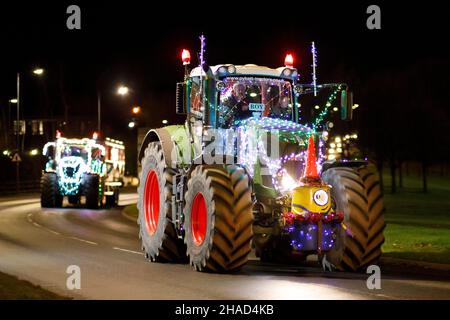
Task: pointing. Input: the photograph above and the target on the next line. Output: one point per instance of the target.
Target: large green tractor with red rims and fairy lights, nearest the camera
(244, 173)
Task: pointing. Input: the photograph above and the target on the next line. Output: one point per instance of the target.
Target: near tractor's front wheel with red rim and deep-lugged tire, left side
(218, 218)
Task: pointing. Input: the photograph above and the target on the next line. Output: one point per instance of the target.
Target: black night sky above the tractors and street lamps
(139, 44)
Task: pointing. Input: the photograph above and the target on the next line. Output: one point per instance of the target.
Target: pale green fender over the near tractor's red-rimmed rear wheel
(173, 141)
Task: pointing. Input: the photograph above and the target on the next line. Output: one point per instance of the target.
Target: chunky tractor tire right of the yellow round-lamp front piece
(356, 192)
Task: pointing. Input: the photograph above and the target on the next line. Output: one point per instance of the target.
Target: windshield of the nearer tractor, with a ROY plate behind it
(242, 98)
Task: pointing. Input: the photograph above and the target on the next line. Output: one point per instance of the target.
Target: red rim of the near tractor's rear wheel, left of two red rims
(151, 202)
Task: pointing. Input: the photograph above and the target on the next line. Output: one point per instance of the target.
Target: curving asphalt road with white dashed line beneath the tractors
(39, 244)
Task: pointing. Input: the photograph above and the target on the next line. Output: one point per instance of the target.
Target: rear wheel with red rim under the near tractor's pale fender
(160, 241)
